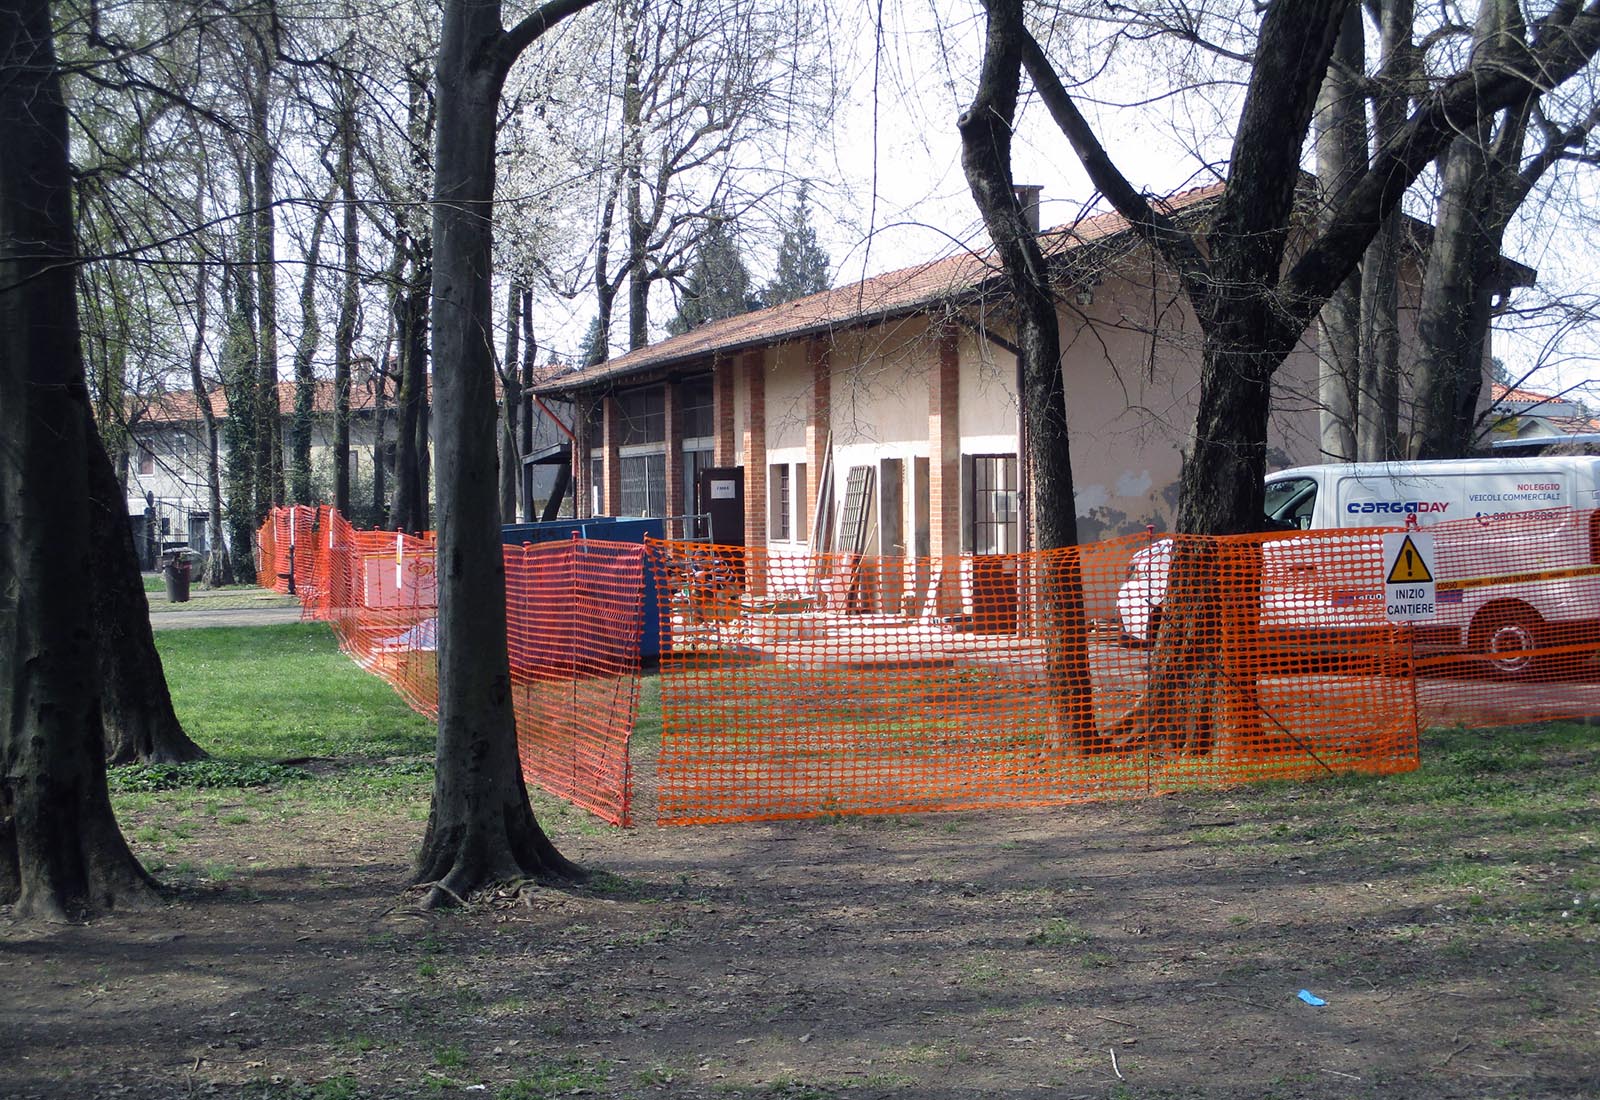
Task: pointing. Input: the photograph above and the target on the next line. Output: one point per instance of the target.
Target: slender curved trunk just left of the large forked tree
(986, 161)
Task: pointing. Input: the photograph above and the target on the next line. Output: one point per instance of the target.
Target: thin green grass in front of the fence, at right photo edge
(1503, 823)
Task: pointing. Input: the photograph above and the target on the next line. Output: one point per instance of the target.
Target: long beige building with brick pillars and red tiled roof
(894, 405)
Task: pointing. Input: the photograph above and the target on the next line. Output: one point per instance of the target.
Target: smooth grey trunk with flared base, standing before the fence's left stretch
(481, 827)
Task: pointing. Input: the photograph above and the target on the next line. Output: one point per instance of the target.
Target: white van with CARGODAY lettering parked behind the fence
(1508, 583)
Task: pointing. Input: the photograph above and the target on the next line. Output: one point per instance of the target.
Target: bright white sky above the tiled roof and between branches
(892, 191)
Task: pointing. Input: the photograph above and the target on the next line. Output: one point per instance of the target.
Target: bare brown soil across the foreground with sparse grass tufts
(1126, 951)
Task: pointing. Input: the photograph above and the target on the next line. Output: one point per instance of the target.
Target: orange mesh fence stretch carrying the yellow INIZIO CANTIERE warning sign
(798, 685)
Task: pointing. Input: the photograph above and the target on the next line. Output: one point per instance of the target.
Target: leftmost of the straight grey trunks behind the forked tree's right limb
(1342, 157)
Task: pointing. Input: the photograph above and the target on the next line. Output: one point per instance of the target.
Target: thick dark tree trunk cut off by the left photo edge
(63, 853)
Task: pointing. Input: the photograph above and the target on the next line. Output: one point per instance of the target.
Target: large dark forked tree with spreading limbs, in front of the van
(1252, 301)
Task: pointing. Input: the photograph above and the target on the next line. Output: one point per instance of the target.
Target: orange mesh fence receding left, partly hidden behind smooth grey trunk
(574, 623)
